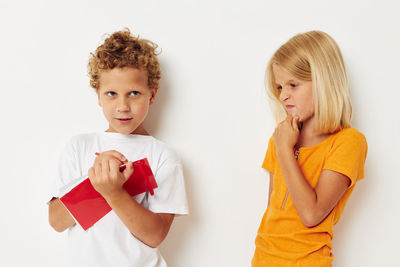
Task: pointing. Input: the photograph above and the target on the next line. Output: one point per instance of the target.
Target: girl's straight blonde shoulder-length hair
(314, 56)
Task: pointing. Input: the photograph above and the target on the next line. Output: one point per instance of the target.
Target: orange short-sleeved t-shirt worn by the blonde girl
(282, 239)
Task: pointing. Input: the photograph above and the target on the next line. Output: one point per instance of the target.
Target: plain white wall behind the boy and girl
(211, 108)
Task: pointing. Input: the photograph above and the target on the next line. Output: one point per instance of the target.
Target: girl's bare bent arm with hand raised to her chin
(312, 204)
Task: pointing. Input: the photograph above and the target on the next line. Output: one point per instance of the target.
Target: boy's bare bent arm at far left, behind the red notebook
(59, 217)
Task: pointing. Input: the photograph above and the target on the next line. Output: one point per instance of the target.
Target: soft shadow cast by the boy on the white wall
(175, 243)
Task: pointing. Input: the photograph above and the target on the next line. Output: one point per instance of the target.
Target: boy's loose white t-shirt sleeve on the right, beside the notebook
(170, 195)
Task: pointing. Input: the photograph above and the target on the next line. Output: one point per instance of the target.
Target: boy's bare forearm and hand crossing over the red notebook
(105, 175)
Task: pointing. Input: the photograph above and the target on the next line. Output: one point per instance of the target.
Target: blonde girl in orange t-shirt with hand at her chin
(314, 157)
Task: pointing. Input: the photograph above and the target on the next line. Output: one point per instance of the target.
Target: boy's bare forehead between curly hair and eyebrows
(126, 75)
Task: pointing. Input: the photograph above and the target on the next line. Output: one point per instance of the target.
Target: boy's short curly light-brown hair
(121, 49)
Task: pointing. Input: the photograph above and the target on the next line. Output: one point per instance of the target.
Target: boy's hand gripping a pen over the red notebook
(105, 174)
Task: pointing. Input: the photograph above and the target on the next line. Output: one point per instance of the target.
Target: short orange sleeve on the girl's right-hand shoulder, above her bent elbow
(347, 155)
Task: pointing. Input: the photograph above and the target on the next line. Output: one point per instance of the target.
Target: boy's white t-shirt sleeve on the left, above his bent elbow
(68, 170)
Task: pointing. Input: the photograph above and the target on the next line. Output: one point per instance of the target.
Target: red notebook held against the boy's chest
(87, 206)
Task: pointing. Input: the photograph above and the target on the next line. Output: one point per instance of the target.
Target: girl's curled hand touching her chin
(286, 133)
